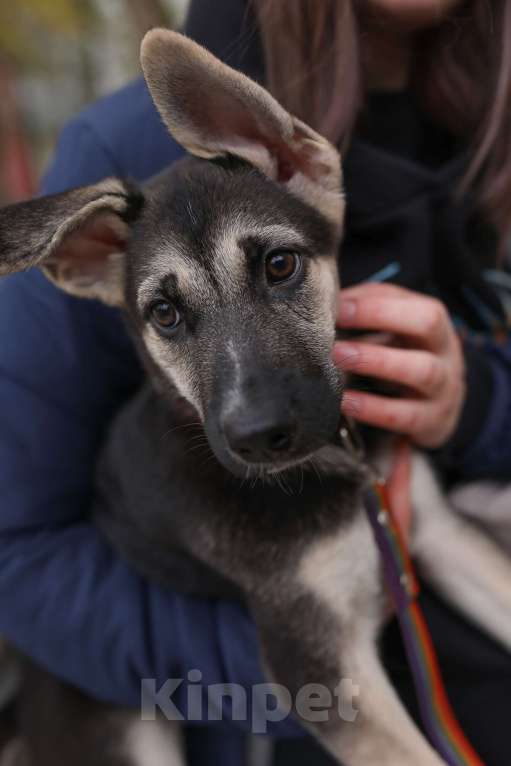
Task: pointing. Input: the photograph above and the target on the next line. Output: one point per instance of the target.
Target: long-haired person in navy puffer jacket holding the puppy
(417, 94)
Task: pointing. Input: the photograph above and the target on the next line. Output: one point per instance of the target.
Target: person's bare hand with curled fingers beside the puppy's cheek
(426, 359)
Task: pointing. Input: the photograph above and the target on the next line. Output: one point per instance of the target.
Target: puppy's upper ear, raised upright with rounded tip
(213, 110)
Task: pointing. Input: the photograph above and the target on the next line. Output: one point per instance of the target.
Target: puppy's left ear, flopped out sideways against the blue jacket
(77, 237)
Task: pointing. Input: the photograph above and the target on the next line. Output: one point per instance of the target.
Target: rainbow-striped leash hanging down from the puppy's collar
(440, 724)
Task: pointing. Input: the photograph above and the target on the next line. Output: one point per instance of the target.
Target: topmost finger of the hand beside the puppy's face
(391, 309)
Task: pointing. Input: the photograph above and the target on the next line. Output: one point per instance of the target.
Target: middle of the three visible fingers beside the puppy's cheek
(426, 373)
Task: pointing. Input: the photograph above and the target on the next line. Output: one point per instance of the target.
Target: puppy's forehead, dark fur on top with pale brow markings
(199, 218)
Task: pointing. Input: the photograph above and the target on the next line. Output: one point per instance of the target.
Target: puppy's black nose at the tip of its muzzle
(258, 441)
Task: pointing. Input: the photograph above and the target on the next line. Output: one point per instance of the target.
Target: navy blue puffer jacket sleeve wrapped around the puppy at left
(66, 598)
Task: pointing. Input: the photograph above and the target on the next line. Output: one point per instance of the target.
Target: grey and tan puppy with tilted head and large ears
(226, 266)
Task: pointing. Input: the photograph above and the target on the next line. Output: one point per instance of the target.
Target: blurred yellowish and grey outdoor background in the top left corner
(56, 56)
